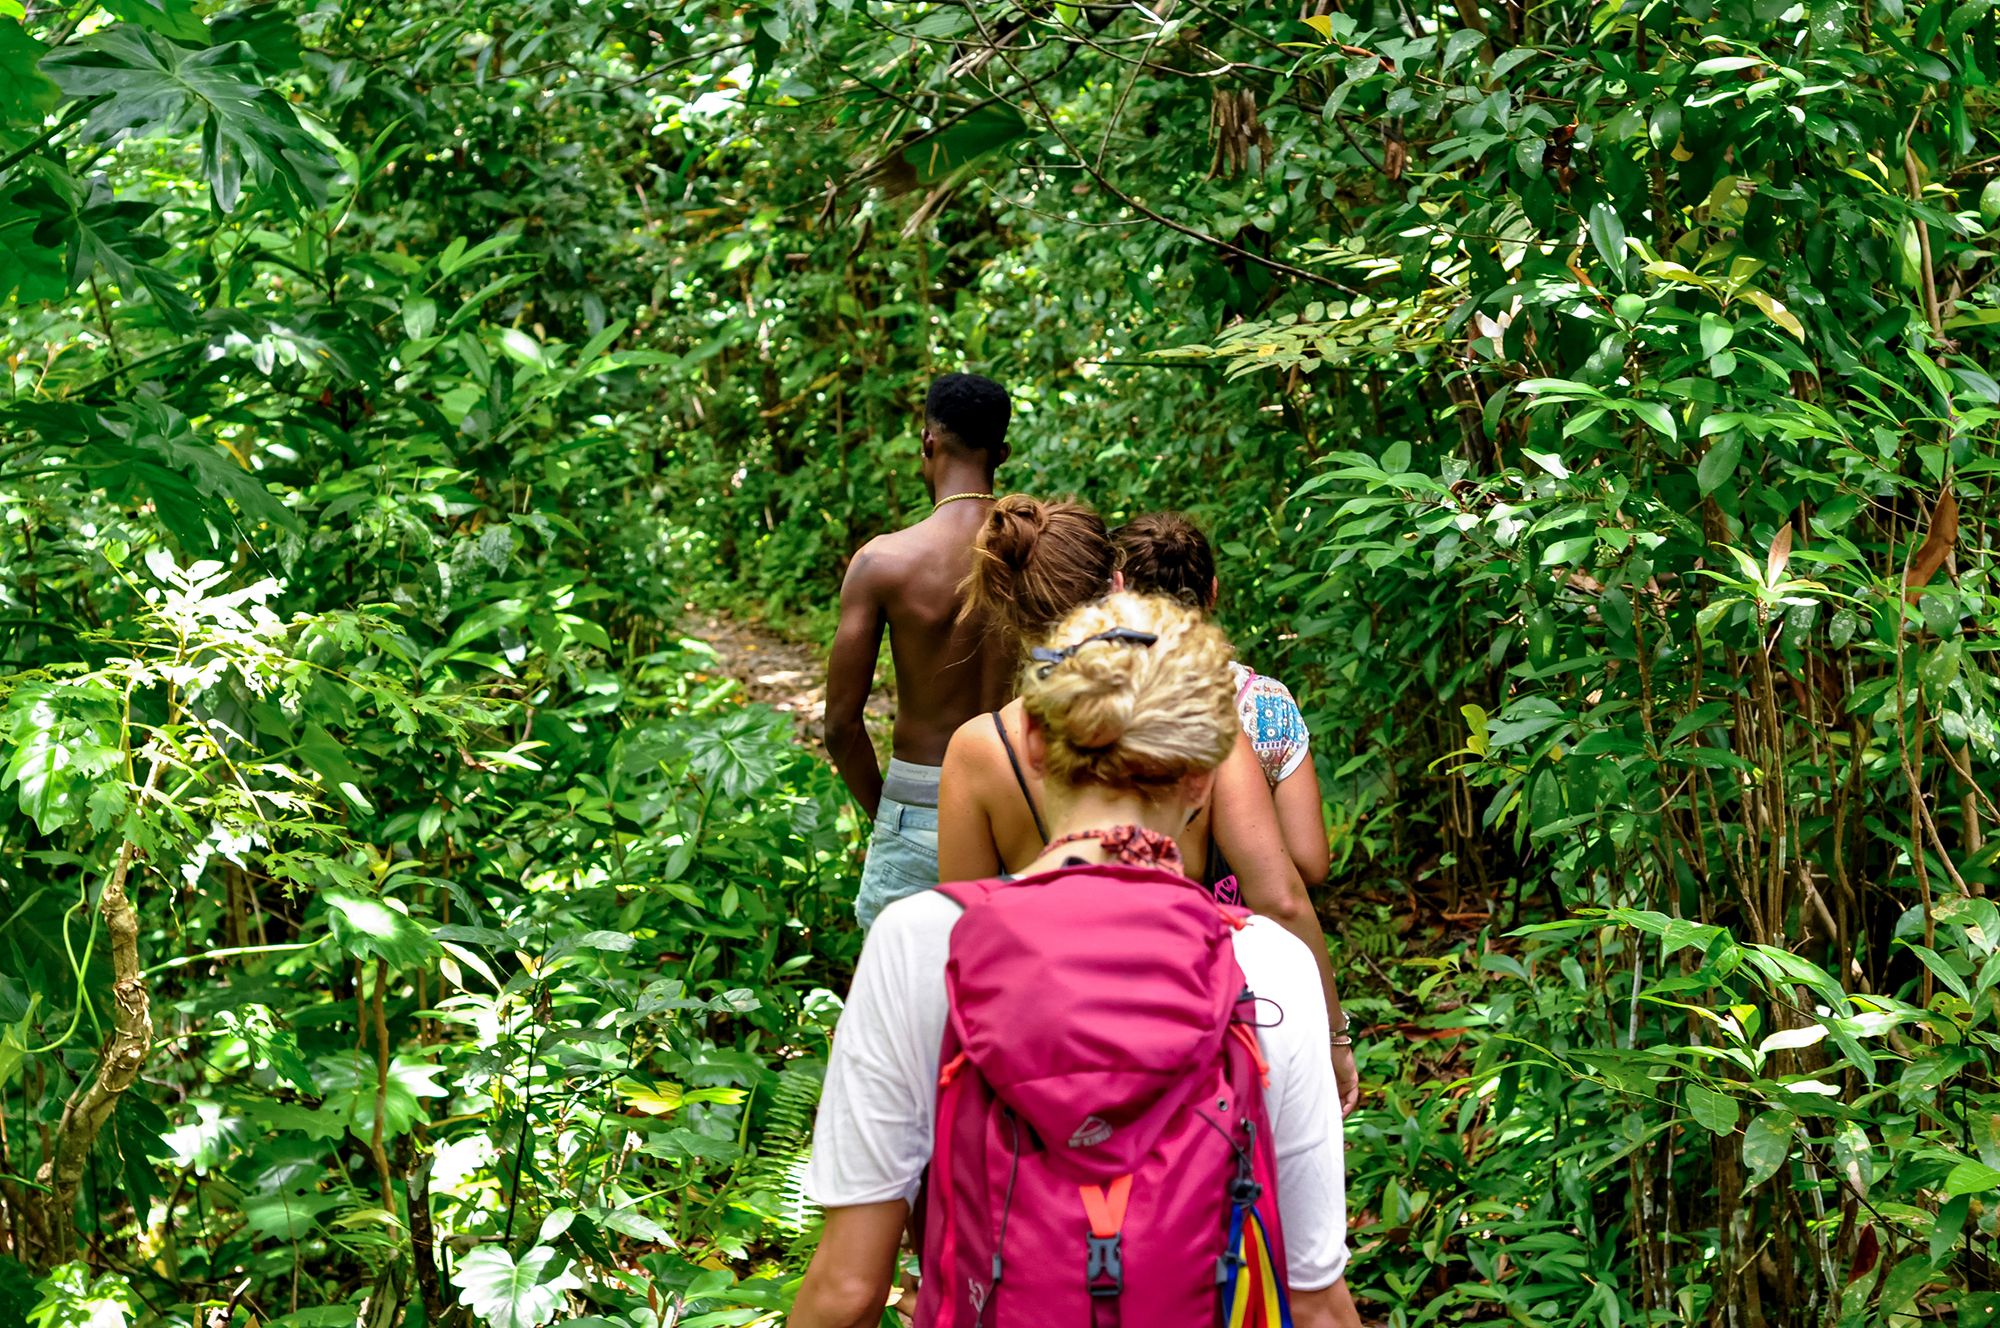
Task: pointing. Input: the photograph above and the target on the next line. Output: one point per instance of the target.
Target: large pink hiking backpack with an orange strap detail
(1103, 1153)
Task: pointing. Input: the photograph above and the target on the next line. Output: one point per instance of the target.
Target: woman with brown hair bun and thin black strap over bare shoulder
(1033, 565)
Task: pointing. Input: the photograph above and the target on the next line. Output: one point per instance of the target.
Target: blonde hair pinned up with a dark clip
(1127, 715)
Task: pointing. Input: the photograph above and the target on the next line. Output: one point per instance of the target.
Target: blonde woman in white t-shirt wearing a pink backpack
(1115, 1083)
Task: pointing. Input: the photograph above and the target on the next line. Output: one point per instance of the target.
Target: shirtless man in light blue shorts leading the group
(947, 669)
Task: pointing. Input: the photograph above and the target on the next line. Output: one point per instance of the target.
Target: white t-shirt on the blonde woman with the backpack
(879, 1111)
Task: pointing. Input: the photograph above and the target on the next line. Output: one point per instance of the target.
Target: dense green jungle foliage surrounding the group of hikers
(405, 923)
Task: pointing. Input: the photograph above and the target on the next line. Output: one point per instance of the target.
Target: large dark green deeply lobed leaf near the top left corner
(155, 87)
